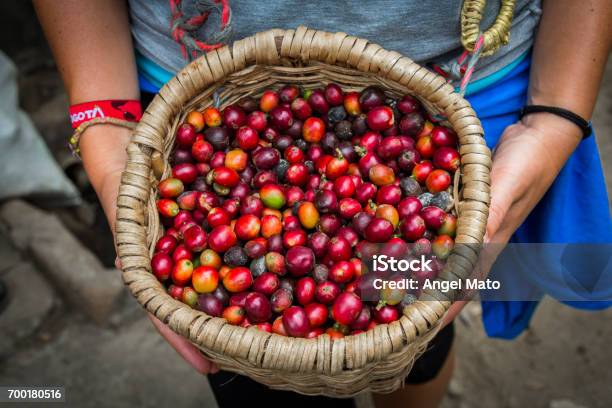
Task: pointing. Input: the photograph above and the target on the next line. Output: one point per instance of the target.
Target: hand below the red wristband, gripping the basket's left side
(105, 175)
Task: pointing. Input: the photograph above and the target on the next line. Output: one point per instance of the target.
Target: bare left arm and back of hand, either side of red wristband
(92, 45)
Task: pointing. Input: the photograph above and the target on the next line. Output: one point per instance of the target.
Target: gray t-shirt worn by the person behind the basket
(423, 30)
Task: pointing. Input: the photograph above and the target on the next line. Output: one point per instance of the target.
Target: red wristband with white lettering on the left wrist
(129, 110)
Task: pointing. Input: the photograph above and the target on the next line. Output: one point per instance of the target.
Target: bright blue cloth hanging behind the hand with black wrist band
(574, 210)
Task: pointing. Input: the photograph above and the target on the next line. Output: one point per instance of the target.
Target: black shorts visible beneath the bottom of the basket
(233, 390)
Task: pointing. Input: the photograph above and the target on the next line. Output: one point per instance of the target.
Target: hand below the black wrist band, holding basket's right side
(526, 161)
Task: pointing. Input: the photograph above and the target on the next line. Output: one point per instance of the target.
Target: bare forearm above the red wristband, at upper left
(92, 45)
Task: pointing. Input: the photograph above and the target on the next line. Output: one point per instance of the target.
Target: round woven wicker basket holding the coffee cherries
(377, 360)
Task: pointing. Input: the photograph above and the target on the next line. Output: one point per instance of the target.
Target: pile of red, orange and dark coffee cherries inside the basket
(275, 203)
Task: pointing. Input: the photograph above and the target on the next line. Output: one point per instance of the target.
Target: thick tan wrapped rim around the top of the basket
(267, 48)
